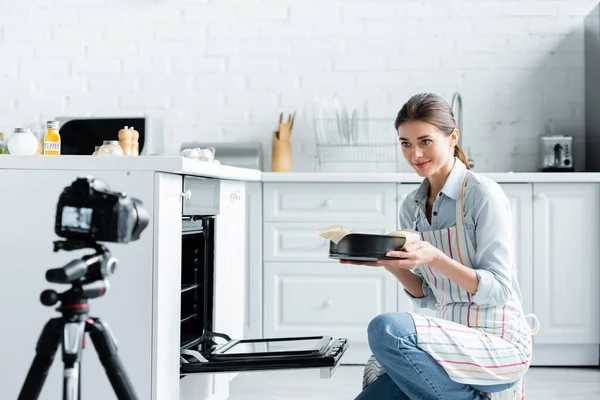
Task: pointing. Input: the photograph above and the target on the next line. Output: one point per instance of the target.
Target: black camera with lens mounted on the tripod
(89, 211)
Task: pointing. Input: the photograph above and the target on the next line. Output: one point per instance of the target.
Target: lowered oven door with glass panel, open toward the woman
(320, 352)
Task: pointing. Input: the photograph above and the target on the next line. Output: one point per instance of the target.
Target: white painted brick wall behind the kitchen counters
(222, 70)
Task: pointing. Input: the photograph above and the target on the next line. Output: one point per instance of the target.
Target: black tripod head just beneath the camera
(87, 276)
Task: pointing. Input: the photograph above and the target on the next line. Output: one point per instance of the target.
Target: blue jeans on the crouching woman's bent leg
(412, 373)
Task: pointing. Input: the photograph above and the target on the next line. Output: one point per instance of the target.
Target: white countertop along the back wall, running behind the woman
(500, 177)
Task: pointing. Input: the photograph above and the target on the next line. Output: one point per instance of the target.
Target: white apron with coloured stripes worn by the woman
(476, 345)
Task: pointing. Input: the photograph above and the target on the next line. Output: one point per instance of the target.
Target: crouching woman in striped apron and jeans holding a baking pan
(463, 267)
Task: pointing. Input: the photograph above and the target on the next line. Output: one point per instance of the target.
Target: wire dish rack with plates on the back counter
(356, 145)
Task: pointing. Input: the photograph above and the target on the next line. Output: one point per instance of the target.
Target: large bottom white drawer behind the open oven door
(324, 298)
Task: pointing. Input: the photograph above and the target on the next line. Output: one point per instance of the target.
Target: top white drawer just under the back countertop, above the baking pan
(337, 202)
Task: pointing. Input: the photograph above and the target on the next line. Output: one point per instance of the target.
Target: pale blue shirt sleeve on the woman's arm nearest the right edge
(494, 262)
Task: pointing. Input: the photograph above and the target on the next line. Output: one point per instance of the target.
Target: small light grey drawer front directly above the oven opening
(201, 196)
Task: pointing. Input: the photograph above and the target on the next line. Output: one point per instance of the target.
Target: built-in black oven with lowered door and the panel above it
(202, 349)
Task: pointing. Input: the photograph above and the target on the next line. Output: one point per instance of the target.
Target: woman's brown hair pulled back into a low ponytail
(433, 109)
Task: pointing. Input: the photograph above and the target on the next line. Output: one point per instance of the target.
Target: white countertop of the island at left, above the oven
(176, 165)
